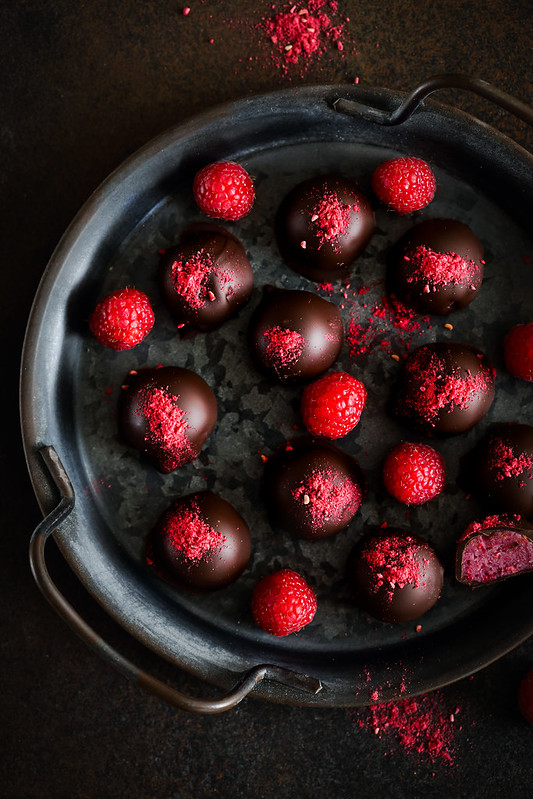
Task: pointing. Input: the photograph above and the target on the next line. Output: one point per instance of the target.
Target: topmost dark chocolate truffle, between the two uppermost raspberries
(322, 226)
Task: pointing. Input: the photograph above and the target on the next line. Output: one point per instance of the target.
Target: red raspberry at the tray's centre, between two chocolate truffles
(332, 405)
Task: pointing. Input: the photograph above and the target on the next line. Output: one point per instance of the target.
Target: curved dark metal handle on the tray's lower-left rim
(64, 609)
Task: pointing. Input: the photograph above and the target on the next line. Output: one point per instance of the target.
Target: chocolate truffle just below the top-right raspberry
(425, 272)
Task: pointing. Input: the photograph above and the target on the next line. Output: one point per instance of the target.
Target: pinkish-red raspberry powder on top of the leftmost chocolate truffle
(167, 426)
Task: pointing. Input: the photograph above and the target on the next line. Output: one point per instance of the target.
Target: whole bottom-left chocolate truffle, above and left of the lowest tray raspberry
(174, 552)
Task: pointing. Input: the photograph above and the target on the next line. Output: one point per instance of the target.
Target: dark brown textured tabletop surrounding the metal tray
(83, 85)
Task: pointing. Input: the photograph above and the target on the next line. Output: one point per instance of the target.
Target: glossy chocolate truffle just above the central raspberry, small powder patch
(314, 323)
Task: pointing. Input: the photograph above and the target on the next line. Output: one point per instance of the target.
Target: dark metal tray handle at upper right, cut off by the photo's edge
(449, 80)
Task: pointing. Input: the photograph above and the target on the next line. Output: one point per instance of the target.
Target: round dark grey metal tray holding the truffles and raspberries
(100, 499)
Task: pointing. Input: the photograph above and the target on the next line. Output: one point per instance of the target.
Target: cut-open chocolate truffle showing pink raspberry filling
(494, 549)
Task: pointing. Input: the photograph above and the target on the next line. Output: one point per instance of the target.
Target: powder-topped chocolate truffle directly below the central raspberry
(312, 490)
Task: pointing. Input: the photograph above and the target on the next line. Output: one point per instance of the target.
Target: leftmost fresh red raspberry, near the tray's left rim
(122, 319)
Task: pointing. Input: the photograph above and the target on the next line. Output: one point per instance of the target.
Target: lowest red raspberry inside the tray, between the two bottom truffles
(283, 603)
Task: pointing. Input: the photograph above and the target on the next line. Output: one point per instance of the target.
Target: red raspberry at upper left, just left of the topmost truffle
(224, 190)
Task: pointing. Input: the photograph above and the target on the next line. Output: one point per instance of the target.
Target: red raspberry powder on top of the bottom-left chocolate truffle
(190, 534)
